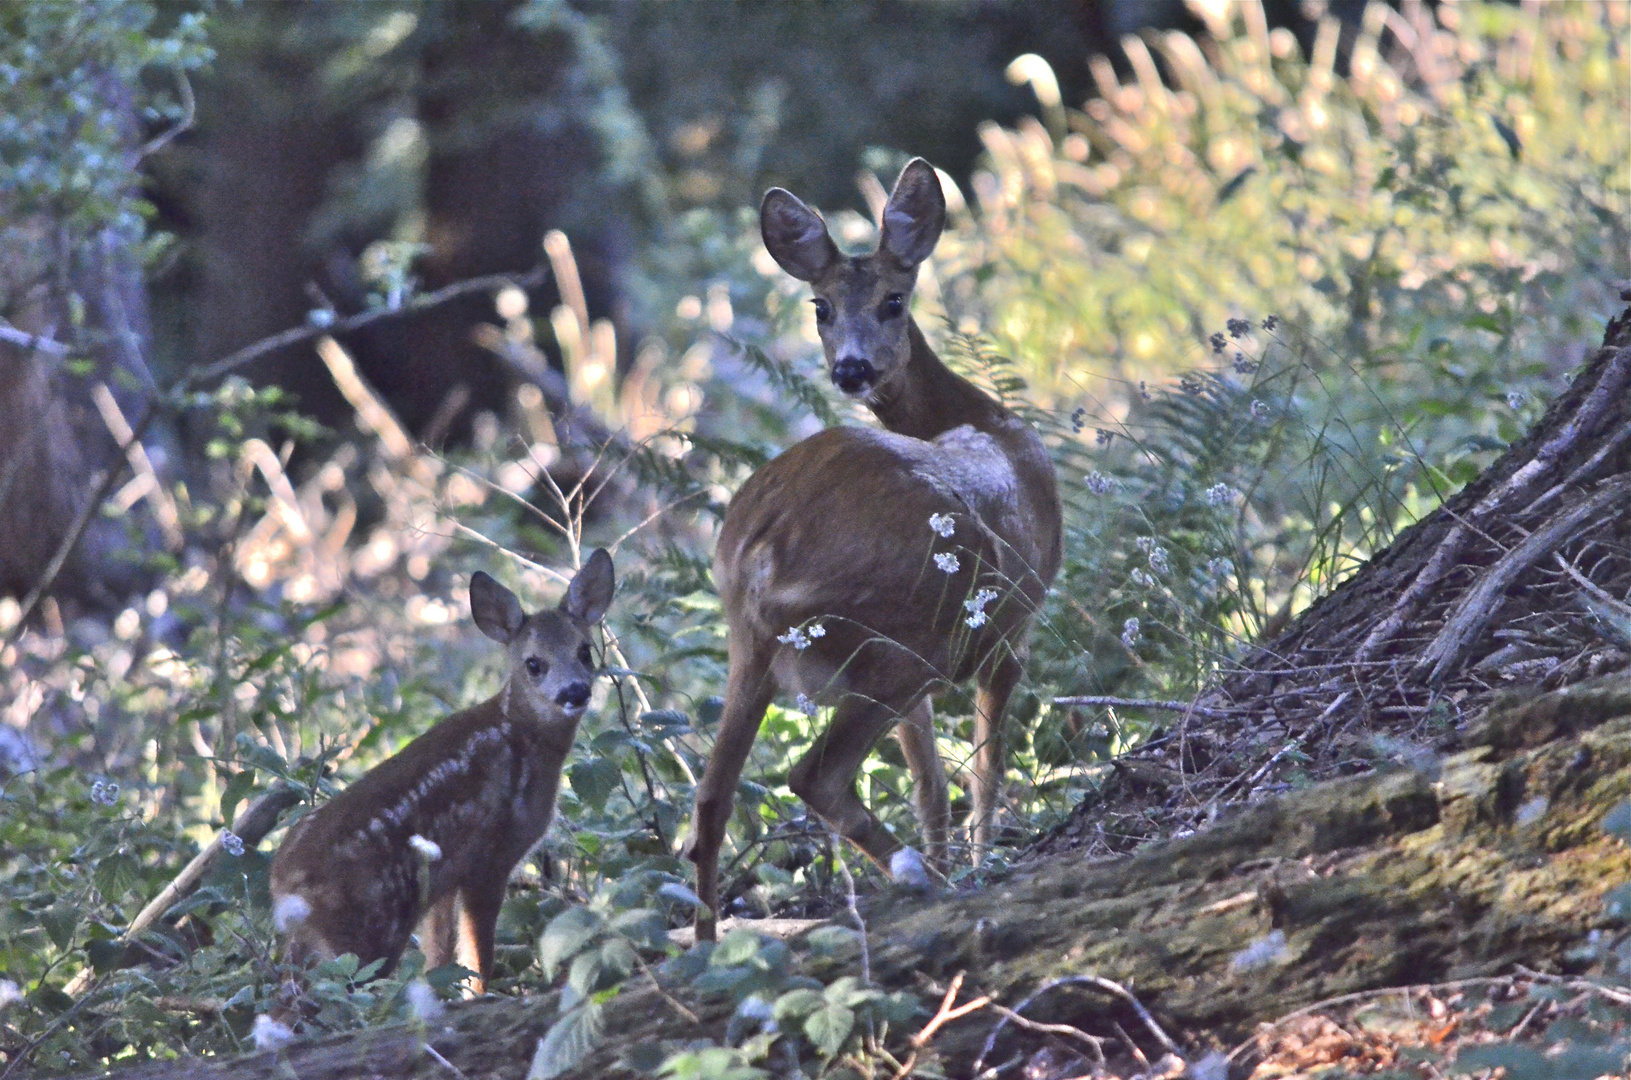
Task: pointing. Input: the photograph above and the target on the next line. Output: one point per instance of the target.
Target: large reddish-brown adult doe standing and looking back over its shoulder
(870, 569)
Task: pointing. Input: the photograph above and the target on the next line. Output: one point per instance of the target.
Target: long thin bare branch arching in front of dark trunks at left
(105, 480)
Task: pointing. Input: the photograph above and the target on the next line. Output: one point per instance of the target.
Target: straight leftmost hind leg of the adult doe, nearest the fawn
(748, 694)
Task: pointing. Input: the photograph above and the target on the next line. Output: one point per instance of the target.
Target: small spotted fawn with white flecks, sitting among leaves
(430, 838)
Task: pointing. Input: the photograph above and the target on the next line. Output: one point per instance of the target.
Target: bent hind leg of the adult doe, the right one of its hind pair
(826, 776)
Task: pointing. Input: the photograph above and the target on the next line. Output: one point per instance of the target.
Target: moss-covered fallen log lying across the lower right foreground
(1493, 859)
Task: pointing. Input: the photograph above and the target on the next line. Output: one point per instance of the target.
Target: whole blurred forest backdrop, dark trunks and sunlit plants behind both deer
(1273, 280)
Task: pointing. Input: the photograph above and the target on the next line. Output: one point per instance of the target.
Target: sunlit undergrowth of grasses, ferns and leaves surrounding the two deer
(1265, 317)
